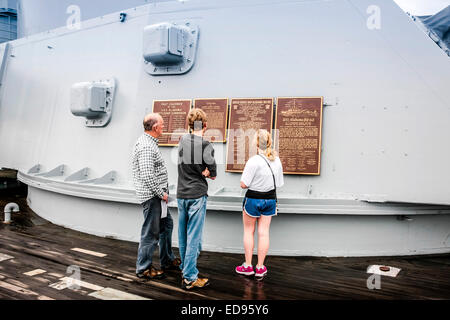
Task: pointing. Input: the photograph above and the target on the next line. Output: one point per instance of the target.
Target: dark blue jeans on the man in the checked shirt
(155, 230)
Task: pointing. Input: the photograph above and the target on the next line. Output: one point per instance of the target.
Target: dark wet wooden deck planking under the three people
(48, 247)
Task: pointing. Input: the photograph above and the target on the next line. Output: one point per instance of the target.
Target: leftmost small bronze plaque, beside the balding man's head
(174, 114)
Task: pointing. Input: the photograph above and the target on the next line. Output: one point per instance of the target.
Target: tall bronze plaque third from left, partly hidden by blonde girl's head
(246, 116)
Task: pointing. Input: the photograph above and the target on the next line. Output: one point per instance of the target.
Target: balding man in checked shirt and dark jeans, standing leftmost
(150, 181)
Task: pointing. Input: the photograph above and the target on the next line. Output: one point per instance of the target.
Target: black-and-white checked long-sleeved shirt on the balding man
(149, 170)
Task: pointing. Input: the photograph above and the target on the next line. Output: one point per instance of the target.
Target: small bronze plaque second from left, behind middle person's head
(217, 112)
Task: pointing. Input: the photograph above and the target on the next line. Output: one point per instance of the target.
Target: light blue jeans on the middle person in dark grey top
(191, 218)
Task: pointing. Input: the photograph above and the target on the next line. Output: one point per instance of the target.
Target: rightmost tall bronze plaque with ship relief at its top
(298, 134)
